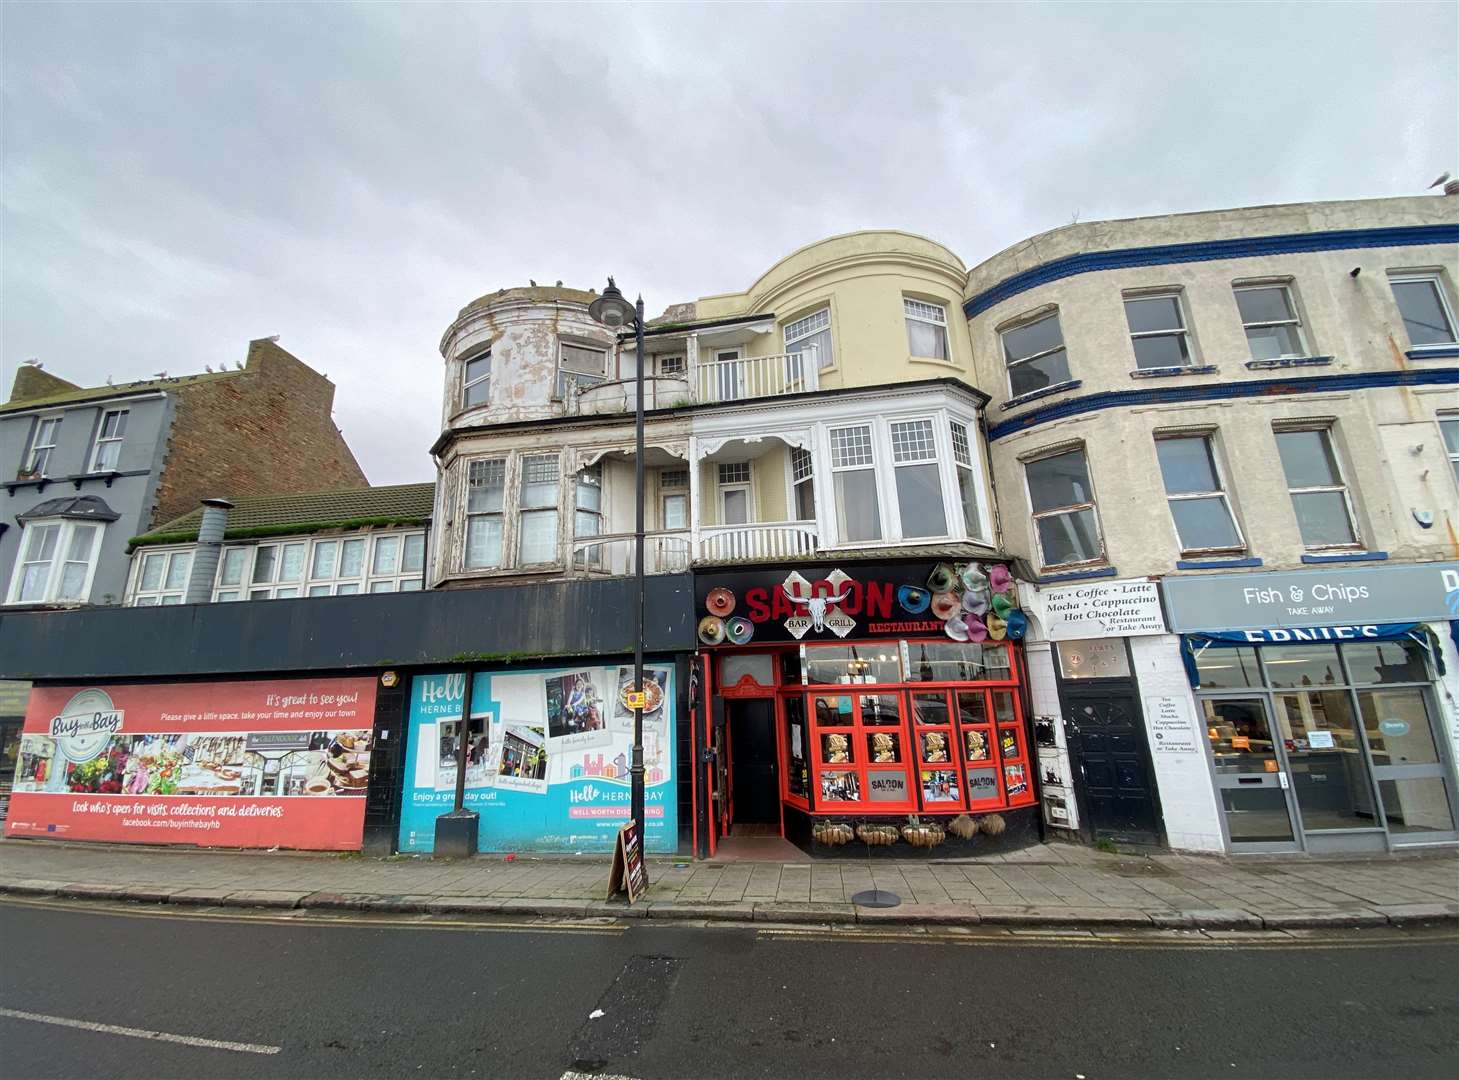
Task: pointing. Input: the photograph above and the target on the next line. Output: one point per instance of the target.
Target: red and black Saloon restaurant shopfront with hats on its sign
(847, 725)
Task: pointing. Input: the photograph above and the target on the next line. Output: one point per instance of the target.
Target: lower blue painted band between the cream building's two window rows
(1223, 392)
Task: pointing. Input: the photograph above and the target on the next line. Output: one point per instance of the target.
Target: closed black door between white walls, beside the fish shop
(1111, 760)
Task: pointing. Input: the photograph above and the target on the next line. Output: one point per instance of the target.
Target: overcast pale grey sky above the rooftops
(182, 179)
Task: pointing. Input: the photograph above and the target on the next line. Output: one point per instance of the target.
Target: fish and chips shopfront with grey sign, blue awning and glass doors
(1326, 736)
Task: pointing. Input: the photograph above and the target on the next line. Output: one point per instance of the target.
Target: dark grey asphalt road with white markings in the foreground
(348, 998)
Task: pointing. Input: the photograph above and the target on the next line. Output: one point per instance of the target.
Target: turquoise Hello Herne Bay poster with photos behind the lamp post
(548, 768)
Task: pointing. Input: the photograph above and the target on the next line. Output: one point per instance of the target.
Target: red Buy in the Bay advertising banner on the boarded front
(250, 764)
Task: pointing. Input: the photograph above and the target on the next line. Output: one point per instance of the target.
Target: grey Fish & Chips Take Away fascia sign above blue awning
(1327, 598)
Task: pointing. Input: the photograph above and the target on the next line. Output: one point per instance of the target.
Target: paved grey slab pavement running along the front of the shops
(1054, 885)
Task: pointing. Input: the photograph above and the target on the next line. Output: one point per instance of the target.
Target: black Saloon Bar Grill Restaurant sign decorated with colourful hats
(967, 602)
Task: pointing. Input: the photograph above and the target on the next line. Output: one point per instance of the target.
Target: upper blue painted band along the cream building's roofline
(1206, 252)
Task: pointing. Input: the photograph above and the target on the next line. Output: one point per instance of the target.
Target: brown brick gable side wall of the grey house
(268, 433)
